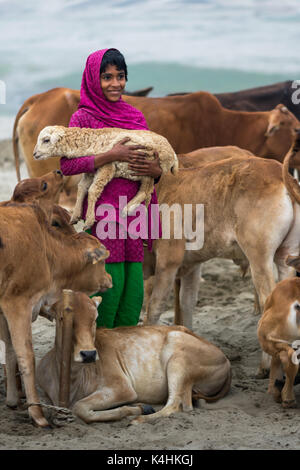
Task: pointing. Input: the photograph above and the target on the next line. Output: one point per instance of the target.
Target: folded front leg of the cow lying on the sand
(96, 407)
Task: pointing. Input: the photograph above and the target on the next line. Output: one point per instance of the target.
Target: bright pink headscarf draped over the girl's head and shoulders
(92, 100)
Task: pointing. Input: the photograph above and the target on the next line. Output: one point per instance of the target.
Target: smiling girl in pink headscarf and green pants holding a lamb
(101, 105)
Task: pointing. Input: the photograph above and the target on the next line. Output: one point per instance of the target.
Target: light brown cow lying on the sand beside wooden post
(135, 364)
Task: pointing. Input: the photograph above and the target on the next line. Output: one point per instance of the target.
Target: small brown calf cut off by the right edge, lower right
(278, 328)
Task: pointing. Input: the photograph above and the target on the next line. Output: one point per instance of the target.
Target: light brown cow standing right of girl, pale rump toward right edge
(248, 216)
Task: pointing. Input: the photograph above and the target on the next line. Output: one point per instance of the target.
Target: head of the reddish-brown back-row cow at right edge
(280, 131)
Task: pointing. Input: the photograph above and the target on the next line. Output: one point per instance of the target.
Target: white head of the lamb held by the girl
(49, 143)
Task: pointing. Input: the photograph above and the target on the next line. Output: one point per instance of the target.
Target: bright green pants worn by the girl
(121, 305)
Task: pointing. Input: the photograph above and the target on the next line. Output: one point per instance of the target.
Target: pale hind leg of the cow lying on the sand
(179, 388)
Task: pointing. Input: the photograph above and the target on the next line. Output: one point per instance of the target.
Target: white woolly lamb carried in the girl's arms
(72, 142)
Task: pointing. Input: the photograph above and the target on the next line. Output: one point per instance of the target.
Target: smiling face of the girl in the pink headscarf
(112, 82)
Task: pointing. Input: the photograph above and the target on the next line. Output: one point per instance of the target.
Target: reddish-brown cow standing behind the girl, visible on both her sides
(188, 122)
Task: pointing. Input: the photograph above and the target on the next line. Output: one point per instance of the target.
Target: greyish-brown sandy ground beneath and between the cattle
(247, 418)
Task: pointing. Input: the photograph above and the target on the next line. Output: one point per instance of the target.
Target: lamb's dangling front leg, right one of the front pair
(105, 174)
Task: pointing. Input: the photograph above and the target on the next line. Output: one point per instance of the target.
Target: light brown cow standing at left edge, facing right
(37, 262)
